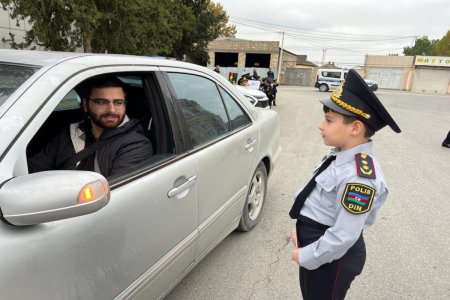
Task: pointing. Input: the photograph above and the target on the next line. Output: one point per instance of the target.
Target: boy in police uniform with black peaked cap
(343, 196)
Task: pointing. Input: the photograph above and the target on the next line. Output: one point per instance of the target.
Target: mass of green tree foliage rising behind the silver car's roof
(171, 27)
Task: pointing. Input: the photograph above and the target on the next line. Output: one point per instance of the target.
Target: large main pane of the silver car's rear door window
(202, 107)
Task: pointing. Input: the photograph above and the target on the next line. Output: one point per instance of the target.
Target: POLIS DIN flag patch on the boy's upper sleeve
(357, 198)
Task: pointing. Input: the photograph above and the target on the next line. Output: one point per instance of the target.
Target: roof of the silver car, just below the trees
(51, 58)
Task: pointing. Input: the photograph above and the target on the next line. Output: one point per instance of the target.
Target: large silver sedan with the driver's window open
(79, 235)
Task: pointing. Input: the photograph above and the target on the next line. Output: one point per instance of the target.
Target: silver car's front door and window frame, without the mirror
(138, 244)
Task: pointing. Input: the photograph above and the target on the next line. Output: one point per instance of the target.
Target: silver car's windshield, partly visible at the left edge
(11, 77)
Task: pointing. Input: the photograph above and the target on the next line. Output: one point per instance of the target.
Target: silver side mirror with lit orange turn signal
(52, 195)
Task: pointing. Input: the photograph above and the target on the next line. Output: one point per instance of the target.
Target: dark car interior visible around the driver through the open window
(143, 103)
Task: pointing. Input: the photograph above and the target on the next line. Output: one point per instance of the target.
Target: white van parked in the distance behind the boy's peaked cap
(329, 79)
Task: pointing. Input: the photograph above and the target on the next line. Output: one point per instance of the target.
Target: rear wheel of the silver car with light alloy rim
(256, 197)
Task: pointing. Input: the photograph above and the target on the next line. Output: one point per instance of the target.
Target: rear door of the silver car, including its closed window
(225, 144)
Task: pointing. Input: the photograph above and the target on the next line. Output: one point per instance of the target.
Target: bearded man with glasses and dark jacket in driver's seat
(106, 141)
